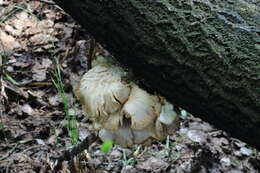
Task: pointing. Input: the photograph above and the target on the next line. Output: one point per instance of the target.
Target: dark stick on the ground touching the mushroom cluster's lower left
(70, 153)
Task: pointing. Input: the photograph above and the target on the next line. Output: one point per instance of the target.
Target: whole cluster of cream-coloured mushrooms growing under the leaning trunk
(120, 110)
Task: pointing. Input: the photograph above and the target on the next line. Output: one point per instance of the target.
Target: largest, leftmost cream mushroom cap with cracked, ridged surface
(103, 93)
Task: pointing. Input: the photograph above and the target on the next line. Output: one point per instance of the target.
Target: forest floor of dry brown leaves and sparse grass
(42, 56)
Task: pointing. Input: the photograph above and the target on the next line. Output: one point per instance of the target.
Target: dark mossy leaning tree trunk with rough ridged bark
(201, 55)
